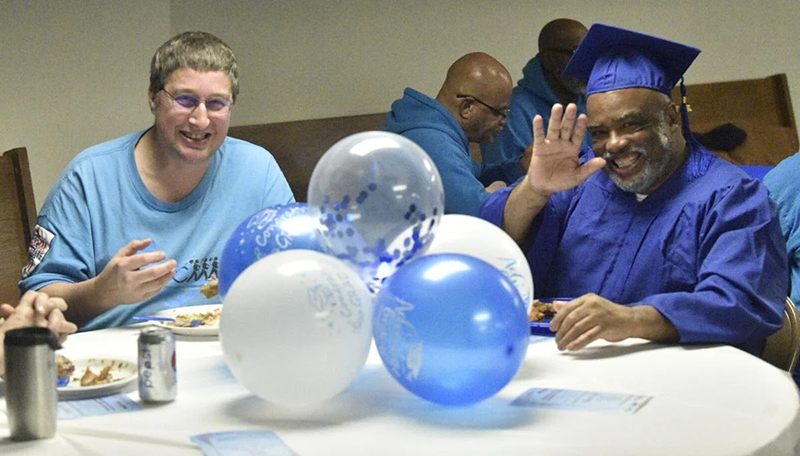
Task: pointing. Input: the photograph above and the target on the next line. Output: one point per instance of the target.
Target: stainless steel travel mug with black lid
(30, 387)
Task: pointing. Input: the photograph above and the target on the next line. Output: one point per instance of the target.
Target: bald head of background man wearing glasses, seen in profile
(477, 91)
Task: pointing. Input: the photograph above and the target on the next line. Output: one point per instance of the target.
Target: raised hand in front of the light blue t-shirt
(131, 277)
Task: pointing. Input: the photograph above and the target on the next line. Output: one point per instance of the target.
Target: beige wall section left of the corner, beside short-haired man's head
(73, 74)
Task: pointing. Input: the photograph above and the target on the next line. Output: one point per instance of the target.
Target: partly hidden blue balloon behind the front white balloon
(270, 230)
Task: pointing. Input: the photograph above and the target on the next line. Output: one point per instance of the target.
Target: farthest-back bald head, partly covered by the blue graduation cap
(557, 41)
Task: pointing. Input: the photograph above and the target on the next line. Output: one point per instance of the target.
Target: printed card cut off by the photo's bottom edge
(242, 443)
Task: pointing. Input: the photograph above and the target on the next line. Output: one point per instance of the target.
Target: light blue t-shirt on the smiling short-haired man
(100, 203)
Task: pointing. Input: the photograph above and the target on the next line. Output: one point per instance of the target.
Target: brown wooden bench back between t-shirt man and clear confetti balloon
(298, 145)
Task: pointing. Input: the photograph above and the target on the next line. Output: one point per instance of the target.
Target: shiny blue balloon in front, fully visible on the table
(450, 328)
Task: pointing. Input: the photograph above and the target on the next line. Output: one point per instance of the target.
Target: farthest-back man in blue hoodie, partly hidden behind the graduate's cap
(543, 84)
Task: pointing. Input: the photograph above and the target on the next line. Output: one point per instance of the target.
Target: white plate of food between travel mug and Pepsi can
(123, 373)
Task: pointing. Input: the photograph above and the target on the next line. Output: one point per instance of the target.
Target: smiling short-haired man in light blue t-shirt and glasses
(136, 225)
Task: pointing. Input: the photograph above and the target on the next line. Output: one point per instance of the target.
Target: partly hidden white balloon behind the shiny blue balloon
(481, 239)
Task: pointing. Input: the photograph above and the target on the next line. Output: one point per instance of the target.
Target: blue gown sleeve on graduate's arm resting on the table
(741, 272)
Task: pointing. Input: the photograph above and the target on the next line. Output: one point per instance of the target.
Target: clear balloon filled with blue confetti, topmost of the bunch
(376, 199)
